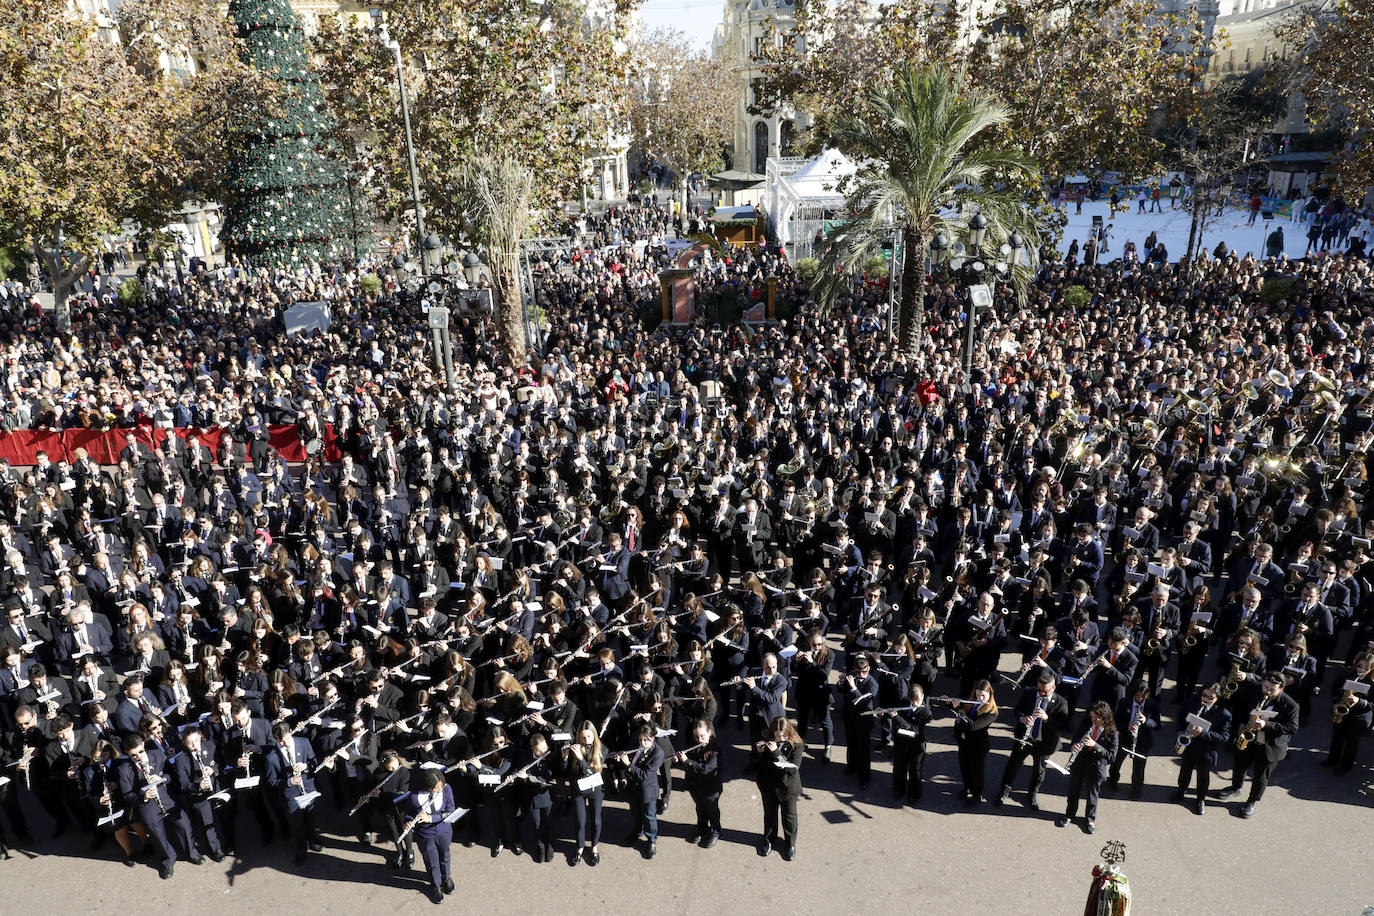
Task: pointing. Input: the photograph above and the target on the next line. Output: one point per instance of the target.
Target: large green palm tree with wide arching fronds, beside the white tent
(925, 165)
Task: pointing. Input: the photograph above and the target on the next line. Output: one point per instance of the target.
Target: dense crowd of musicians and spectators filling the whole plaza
(670, 560)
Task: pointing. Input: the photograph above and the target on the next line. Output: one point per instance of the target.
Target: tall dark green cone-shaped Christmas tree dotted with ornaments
(285, 198)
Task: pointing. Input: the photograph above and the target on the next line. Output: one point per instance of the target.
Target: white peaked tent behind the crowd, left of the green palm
(804, 197)
